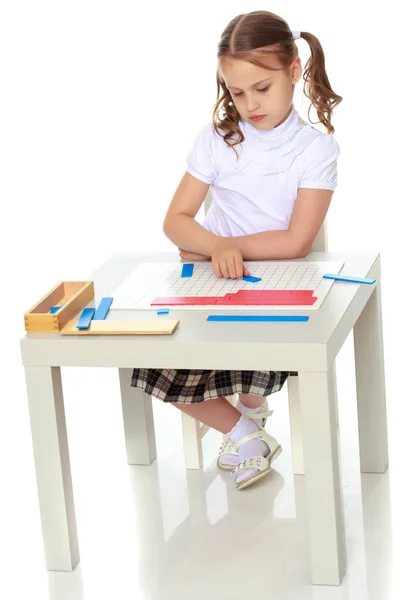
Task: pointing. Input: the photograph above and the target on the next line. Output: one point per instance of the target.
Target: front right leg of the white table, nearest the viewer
(317, 395)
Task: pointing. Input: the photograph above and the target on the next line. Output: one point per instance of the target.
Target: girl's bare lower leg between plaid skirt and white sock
(217, 413)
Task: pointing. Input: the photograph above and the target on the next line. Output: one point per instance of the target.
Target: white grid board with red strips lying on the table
(156, 284)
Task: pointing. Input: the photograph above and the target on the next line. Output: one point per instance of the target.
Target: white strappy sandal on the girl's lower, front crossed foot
(261, 463)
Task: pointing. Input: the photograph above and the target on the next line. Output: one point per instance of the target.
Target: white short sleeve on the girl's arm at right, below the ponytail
(320, 164)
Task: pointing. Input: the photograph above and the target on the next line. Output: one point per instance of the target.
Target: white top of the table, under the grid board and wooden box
(198, 343)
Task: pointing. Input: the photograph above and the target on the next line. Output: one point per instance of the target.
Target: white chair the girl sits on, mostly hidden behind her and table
(194, 431)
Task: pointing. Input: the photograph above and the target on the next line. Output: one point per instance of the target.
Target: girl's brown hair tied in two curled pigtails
(253, 37)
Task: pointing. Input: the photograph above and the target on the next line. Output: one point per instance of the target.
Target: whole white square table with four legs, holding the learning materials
(309, 348)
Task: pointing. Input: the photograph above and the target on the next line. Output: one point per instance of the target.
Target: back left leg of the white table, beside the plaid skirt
(137, 410)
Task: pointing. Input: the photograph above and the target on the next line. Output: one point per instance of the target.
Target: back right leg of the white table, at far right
(371, 393)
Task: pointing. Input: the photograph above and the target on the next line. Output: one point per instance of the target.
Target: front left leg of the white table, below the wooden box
(53, 471)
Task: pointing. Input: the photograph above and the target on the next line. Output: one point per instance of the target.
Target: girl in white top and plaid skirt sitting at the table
(272, 177)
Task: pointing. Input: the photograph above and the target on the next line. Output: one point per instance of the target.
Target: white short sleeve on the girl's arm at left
(201, 160)
